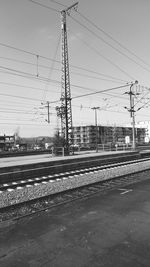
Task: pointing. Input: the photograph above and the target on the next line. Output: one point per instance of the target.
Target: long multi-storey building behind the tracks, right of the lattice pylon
(85, 136)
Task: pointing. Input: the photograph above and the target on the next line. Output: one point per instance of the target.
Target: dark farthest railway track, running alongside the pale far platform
(23, 171)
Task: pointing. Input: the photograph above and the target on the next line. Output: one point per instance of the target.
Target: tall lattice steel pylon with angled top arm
(66, 110)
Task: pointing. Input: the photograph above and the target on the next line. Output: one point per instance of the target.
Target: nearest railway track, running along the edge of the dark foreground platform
(30, 208)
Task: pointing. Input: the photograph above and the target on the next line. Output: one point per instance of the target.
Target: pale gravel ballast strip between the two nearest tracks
(30, 192)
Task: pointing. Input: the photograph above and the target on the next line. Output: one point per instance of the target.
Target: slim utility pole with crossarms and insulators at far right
(132, 113)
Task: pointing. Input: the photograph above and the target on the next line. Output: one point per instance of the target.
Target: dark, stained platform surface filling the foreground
(108, 230)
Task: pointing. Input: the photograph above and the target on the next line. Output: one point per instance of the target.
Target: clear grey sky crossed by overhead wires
(108, 46)
